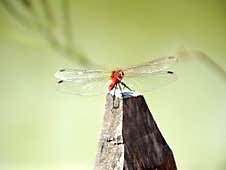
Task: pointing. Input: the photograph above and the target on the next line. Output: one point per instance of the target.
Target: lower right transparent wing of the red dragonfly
(149, 82)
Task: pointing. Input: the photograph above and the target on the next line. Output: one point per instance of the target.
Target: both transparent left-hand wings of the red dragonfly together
(82, 82)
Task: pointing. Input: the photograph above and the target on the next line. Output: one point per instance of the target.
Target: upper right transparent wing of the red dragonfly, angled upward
(150, 67)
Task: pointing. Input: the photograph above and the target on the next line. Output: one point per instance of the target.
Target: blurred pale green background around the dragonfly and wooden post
(42, 128)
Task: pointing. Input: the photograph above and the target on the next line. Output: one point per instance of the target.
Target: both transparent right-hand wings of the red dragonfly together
(151, 75)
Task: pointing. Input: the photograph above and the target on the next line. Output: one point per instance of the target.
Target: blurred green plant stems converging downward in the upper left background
(59, 36)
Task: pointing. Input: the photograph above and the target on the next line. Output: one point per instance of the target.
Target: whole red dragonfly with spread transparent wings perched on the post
(96, 81)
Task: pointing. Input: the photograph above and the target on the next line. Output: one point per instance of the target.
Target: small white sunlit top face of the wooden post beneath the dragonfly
(124, 94)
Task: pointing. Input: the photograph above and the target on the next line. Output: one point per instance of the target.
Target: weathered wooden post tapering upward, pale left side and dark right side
(130, 138)
